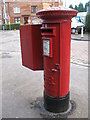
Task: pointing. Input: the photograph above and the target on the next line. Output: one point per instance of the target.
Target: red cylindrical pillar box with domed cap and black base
(56, 38)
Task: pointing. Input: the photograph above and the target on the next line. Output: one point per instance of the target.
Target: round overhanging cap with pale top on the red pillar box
(56, 13)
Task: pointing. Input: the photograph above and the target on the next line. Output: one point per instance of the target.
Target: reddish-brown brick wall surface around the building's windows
(25, 8)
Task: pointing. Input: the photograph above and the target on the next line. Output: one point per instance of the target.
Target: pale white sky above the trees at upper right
(74, 2)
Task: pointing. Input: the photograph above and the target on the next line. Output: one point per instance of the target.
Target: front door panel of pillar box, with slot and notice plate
(51, 54)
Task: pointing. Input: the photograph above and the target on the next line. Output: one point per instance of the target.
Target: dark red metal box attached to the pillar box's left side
(31, 46)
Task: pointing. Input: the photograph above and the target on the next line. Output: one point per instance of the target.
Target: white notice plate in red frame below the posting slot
(47, 47)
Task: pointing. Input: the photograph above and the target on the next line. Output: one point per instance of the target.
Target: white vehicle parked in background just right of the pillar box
(76, 25)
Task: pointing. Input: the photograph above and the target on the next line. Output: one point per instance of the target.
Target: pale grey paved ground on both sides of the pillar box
(21, 86)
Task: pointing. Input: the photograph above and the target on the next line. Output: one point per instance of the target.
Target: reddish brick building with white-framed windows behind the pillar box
(18, 10)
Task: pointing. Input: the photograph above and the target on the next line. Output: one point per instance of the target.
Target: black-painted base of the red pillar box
(56, 105)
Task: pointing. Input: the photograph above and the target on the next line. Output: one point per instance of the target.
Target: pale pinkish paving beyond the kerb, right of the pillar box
(79, 52)
